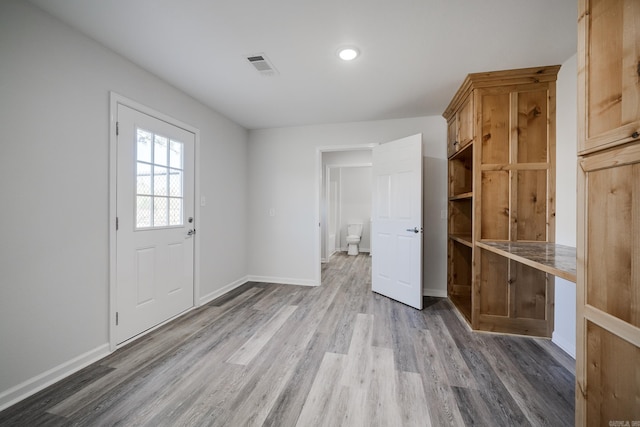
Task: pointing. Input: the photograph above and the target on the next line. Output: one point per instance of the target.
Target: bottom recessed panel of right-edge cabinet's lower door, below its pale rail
(613, 371)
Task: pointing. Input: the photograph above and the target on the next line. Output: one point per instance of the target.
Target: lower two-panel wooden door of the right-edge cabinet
(608, 287)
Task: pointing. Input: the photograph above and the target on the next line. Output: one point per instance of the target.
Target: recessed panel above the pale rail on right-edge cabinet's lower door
(613, 209)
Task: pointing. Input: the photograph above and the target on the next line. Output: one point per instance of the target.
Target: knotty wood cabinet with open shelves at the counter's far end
(501, 145)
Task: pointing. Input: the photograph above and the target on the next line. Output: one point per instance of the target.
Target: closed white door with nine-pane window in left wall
(156, 227)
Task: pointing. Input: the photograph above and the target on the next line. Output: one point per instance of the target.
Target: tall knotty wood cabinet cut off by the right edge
(608, 273)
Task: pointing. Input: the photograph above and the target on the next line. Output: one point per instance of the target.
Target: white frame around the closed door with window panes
(116, 99)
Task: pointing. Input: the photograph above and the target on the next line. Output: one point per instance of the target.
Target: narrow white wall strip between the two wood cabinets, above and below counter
(564, 334)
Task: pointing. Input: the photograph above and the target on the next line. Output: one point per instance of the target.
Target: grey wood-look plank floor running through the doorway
(335, 355)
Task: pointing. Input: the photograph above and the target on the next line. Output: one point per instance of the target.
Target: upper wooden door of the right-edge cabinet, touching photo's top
(608, 73)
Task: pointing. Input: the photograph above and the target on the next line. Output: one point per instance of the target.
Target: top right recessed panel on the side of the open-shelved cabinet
(532, 126)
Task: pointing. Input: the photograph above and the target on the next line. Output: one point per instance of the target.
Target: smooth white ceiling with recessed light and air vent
(414, 53)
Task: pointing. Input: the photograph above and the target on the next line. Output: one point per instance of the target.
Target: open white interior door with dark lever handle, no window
(397, 220)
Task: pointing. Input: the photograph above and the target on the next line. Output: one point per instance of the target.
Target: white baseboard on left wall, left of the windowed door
(33, 385)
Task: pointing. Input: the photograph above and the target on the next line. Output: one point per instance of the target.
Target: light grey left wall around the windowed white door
(54, 263)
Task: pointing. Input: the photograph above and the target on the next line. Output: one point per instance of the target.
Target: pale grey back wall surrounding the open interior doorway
(283, 176)
